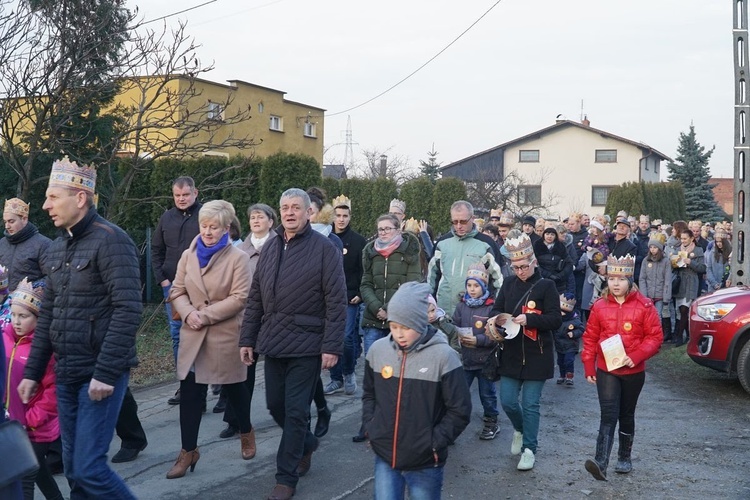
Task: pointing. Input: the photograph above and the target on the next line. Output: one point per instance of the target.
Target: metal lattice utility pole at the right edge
(740, 265)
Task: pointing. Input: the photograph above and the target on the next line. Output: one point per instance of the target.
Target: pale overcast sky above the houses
(643, 69)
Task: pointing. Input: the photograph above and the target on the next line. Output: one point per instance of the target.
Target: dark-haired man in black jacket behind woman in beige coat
(177, 228)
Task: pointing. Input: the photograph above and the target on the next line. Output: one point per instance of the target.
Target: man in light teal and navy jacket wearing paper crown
(455, 252)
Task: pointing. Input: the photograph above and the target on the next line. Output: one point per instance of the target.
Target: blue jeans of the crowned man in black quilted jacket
(87, 428)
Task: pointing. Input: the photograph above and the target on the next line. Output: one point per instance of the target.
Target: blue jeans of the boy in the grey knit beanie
(390, 484)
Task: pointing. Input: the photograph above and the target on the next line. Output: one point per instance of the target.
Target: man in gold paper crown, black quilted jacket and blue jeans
(88, 319)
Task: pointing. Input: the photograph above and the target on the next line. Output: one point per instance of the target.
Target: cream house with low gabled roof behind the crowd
(566, 167)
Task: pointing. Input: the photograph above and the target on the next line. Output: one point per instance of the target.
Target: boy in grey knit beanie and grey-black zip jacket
(415, 400)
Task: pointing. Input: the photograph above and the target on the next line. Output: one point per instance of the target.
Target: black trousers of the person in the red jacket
(618, 397)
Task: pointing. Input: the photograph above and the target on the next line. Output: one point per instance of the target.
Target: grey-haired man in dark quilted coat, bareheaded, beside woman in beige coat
(295, 316)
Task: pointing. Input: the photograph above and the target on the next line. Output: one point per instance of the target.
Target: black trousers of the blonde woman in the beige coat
(192, 396)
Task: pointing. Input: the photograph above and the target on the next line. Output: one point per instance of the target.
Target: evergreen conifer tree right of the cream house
(691, 170)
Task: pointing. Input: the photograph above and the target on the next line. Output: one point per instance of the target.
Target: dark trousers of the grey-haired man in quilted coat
(290, 385)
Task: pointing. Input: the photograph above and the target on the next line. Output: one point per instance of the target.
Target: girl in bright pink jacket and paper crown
(39, 416)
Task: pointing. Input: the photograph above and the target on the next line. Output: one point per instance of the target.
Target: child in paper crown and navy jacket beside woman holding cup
(472, 312)
